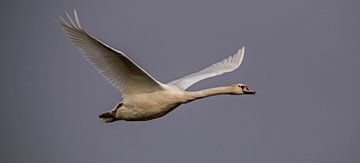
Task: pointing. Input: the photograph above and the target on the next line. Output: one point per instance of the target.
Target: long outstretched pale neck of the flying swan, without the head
(194, 95)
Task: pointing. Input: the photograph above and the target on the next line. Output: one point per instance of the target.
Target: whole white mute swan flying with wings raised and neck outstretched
(145, 98)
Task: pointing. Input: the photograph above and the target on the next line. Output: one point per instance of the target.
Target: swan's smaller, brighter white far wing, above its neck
(228, 64)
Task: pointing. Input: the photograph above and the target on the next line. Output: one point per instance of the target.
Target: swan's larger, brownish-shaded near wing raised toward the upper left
(119, 70)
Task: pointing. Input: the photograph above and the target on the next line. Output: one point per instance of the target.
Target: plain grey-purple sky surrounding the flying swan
(302, 58)
